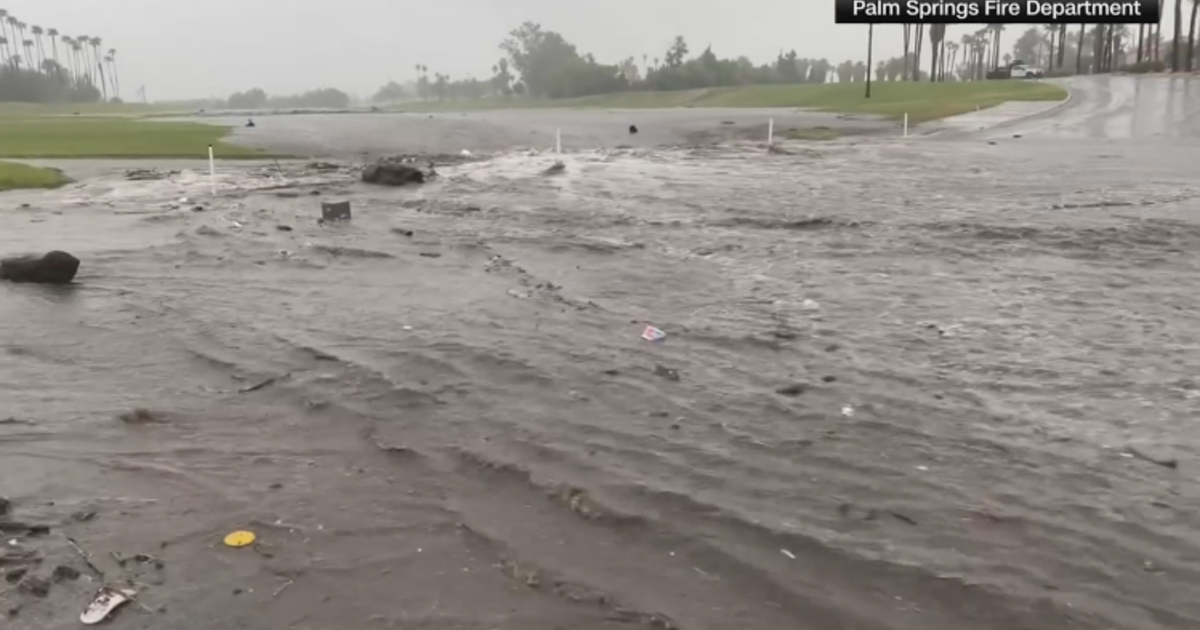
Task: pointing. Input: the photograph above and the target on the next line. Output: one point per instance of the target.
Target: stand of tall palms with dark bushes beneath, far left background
(35, 69)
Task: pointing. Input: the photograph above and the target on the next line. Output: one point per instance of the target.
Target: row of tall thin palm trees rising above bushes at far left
(82, 61)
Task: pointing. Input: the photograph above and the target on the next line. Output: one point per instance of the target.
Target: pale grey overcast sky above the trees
(196, 49)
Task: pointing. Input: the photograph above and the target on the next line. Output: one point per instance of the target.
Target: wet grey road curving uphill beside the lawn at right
(1120, 110)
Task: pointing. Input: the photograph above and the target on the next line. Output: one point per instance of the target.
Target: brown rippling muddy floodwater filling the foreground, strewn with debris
(904, 387)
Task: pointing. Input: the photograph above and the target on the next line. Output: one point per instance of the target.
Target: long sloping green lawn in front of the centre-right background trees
(921, 101)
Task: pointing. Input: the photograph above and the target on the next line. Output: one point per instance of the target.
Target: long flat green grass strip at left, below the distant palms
(55, 136)
